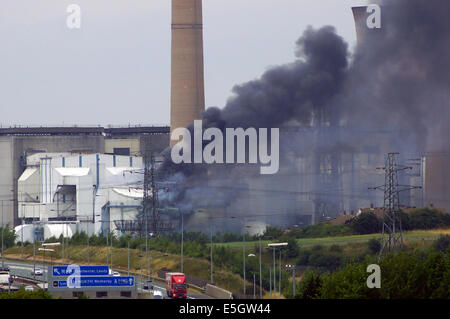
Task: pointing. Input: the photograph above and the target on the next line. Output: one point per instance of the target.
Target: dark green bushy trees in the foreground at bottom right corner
(418, 275)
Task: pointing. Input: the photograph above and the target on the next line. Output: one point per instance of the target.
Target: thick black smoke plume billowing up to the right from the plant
(396, 83)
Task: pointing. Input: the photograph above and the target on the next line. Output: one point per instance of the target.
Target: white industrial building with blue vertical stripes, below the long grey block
(62, 193)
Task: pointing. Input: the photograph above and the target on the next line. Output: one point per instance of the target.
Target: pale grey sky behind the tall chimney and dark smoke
(115, 69)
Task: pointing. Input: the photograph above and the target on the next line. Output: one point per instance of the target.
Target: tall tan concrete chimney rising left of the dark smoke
(187, 100)
